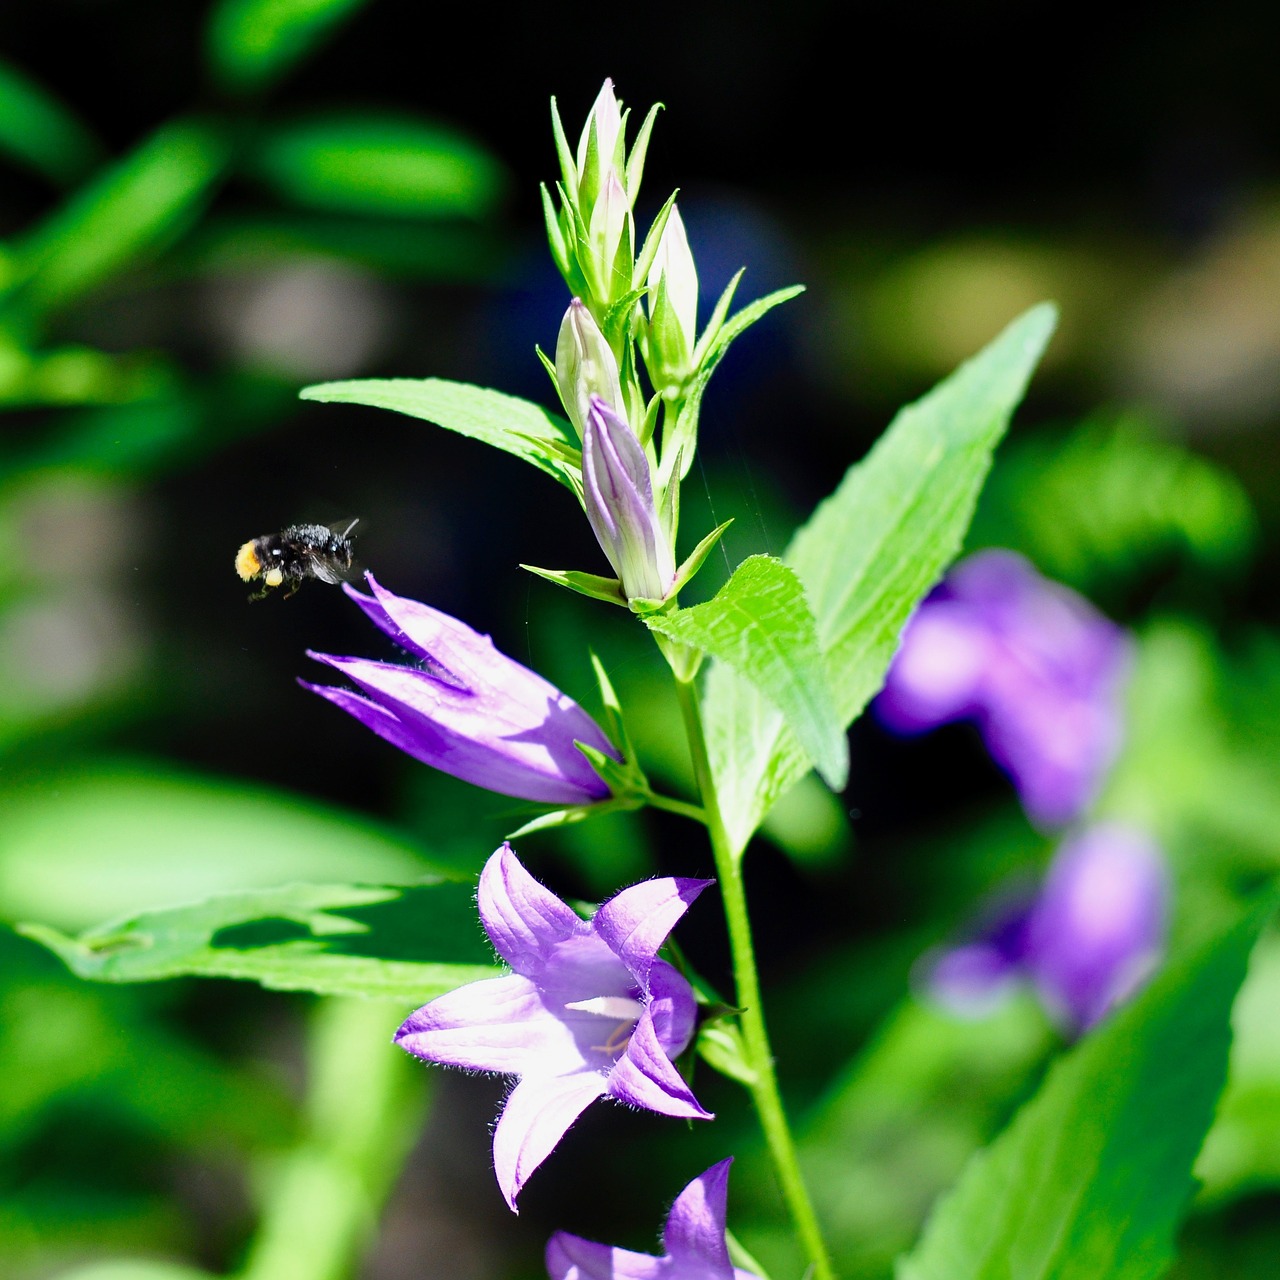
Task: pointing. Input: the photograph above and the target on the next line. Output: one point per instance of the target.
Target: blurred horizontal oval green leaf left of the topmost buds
(396, 166)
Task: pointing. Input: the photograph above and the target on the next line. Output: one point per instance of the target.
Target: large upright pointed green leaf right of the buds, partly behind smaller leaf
(868, 556)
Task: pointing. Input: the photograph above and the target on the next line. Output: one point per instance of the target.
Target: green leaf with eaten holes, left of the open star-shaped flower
(406, 944)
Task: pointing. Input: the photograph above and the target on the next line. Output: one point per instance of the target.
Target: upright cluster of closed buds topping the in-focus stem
(629, 310)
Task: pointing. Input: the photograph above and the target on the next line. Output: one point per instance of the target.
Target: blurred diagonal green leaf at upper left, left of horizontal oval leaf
(134, 209)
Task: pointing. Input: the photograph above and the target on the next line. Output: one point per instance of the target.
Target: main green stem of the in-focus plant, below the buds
(765, 1084)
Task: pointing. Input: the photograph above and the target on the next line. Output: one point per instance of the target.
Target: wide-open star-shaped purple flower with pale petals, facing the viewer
(588, 1012)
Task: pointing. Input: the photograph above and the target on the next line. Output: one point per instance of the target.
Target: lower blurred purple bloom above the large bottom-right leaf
(1090, 936)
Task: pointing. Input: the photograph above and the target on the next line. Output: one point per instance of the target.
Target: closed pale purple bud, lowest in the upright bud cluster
(618, 492)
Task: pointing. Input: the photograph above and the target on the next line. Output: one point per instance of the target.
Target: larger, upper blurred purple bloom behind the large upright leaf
(1035, 665)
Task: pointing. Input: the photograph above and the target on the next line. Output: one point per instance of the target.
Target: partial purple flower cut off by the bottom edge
(693, 1240)
